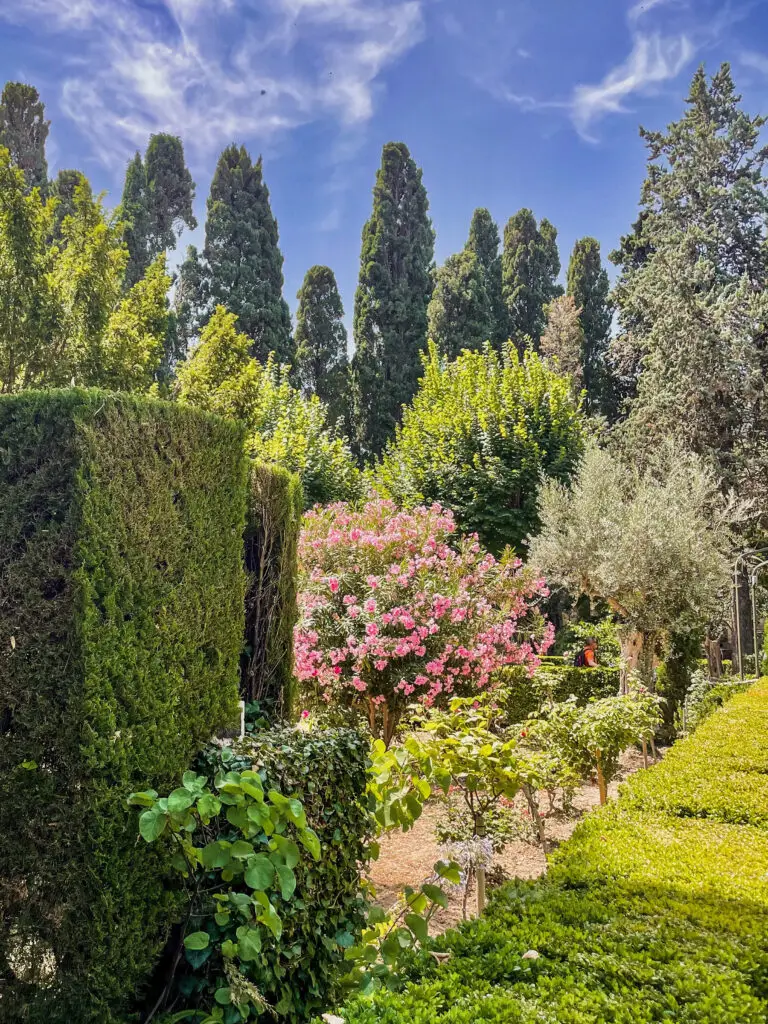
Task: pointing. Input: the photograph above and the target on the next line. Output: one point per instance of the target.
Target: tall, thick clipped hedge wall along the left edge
(121, 627)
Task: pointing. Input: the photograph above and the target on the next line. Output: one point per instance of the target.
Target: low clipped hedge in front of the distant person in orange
(520, 696)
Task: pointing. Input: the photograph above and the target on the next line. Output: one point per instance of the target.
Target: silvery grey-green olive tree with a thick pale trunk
(653, 544)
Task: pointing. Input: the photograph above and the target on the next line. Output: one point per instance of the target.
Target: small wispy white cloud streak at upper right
(655, 59)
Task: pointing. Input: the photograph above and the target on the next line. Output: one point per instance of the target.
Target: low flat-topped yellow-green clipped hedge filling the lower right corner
(647, 915)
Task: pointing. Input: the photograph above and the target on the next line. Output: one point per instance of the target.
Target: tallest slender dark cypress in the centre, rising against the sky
(391, 306)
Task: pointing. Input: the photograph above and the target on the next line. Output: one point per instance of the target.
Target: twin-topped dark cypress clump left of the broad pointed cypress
(157, 202)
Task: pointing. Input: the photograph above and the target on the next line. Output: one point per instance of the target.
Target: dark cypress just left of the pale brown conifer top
(530, 269)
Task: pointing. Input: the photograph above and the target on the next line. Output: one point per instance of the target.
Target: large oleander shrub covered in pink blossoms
(397, 609)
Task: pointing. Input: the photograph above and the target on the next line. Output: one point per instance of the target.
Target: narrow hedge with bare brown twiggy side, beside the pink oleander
(276, 505)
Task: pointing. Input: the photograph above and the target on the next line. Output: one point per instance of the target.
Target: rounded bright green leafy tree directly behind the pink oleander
(481, 434)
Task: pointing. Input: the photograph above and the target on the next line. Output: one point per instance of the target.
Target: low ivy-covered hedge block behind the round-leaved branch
(300, 960)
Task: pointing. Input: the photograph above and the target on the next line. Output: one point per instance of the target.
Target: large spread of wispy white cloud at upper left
(215, 72)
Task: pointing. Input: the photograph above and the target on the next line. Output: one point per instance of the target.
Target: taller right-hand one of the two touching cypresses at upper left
(170, 193)
